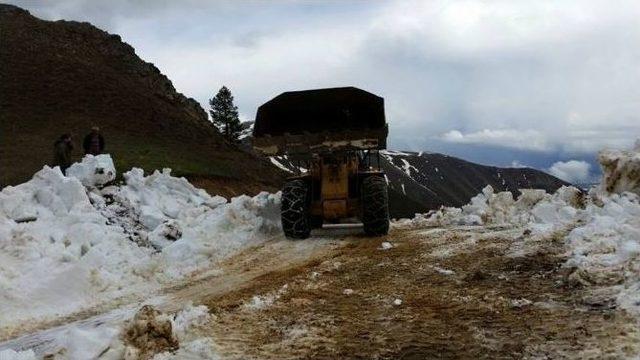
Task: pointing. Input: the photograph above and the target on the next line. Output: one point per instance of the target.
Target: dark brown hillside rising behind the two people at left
(65, 77)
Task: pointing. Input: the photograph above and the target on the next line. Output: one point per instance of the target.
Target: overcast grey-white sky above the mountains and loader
(511, 83)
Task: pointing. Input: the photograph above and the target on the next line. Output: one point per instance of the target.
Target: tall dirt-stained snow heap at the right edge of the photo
(605, 248)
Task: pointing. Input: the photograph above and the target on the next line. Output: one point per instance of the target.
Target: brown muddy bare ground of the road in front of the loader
(435, 294)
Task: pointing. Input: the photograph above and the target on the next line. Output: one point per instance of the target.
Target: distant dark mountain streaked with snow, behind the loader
(419, 182)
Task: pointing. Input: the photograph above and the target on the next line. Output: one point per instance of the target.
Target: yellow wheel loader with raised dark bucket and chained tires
(333, 137)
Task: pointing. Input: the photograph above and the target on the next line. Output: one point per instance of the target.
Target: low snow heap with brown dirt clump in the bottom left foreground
(144, 334)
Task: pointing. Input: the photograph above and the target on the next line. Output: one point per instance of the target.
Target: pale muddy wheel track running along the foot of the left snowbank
(230, 274)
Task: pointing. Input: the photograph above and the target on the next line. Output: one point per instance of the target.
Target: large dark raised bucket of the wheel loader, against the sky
(313, 121)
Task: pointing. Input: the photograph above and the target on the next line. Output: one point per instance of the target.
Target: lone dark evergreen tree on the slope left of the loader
(225, 114)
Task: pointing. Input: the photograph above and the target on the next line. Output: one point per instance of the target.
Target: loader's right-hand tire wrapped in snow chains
(375, 206)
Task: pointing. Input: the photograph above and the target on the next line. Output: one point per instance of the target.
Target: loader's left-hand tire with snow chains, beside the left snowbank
(294, 210)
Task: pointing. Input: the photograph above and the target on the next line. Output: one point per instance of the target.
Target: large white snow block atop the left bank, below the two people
(93, 171)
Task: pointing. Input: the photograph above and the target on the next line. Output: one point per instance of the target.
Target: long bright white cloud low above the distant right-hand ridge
(517, 139)
